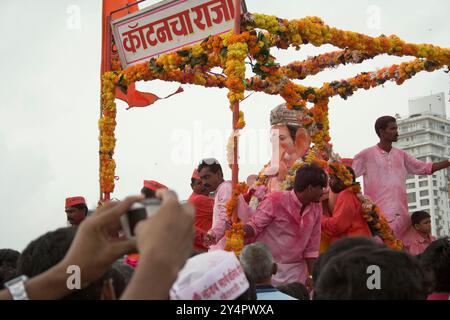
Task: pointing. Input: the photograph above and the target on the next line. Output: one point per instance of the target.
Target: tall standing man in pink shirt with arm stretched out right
(384, 169)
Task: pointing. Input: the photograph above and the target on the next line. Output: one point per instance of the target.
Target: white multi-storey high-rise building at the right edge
(425, 135)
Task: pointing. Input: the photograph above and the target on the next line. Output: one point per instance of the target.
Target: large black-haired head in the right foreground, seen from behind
(347, 275)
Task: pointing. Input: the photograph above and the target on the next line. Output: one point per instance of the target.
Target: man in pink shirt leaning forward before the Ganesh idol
(288, 222)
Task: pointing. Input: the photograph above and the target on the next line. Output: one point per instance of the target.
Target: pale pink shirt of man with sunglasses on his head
(223, 195)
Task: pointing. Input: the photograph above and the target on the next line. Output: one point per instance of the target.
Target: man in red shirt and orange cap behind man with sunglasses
(203, 205)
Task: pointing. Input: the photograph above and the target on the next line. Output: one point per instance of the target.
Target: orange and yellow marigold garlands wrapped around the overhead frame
(261, 32)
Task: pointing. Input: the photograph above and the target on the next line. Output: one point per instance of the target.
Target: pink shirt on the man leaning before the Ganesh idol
(290, 237)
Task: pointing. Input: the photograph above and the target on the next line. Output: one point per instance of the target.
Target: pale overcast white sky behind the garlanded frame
(50, 93)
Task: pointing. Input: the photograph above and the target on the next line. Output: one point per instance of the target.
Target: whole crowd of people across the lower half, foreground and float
(179, 252)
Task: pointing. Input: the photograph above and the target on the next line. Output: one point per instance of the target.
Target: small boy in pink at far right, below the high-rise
(419, 237)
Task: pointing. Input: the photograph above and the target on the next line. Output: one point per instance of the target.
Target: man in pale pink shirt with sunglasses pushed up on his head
(211, 176)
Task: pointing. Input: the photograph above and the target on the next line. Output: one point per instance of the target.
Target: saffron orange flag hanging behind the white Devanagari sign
(133, 97)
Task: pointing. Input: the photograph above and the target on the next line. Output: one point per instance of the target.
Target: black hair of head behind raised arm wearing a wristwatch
(48, 250)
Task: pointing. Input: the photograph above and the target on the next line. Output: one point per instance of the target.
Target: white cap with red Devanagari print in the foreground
(214, 275)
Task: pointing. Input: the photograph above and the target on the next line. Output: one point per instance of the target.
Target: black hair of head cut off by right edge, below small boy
(436, 260)
